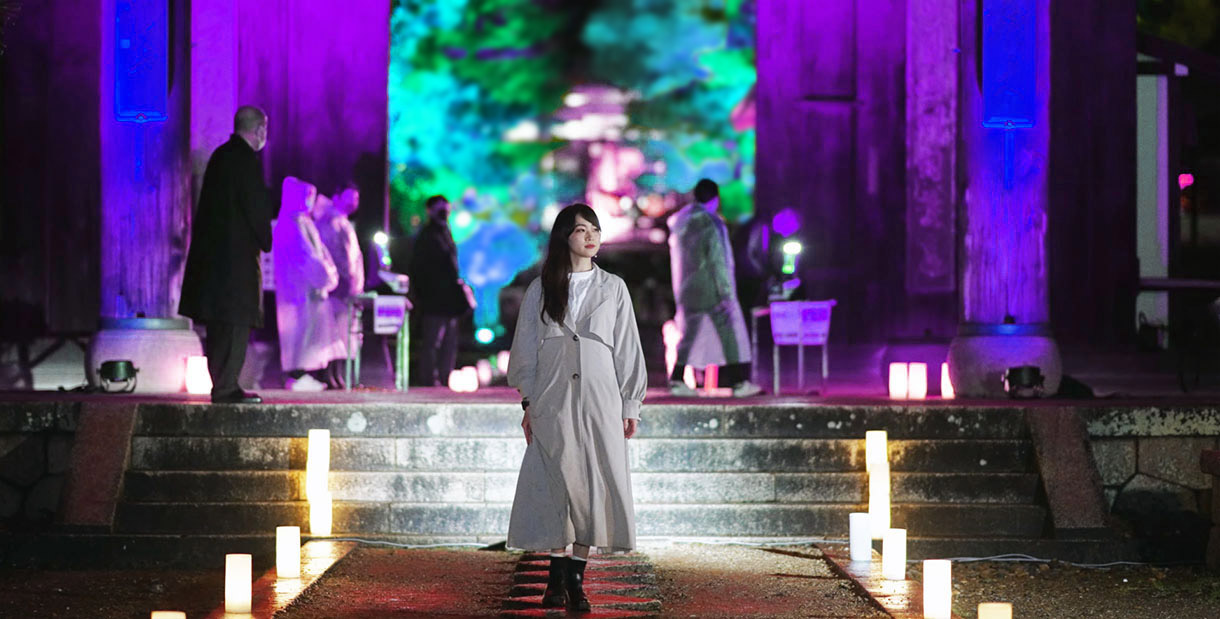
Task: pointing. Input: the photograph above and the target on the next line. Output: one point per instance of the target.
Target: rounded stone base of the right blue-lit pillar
(981, 355)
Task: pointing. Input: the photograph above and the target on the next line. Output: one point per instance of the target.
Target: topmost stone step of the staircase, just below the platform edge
(740, 419)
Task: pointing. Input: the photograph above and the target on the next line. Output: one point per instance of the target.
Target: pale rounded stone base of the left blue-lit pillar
(157, 350)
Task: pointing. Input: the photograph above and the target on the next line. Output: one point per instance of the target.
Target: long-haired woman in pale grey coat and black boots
(578, 362)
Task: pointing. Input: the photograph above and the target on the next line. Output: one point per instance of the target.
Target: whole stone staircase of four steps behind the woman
(966, 479)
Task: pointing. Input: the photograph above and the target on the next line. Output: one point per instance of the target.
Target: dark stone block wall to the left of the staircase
(36, 452)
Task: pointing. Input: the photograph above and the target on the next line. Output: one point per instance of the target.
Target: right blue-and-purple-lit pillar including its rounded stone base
(1005, 274)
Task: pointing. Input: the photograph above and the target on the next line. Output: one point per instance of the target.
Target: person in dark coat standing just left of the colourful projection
(439, 294)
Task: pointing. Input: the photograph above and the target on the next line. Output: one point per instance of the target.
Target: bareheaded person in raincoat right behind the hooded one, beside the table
(340, 237)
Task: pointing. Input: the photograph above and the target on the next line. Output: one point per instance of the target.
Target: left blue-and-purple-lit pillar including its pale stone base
(146, 191)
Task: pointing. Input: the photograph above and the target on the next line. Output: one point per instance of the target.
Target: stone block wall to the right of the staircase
(1150, 466)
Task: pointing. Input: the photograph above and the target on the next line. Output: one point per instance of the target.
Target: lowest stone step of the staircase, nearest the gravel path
(484, 519)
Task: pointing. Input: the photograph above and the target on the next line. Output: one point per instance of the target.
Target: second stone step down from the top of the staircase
(647, 455)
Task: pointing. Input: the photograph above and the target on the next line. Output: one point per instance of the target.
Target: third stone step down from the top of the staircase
(648, 488)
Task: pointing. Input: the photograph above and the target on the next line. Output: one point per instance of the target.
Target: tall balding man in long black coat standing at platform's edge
(223, 288)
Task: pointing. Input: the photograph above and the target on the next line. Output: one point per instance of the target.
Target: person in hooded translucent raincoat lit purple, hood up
(306, 275)
